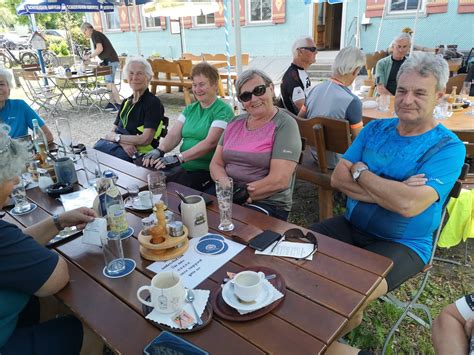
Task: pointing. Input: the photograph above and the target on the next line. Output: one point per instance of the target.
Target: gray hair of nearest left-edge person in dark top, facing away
(13, 155)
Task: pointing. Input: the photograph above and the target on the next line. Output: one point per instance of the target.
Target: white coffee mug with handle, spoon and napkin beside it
(166, 292)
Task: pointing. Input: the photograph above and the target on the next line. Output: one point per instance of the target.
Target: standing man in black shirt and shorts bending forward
(106, 52)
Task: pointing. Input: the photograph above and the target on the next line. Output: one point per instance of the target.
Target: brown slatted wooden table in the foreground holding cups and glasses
(322, 294)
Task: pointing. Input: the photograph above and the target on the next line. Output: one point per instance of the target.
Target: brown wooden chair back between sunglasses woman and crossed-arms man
(324, 135)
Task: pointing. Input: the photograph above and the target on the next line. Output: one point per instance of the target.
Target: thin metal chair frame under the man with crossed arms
(412, 304)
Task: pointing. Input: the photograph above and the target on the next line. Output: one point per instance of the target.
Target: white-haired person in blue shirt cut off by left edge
(16, 112)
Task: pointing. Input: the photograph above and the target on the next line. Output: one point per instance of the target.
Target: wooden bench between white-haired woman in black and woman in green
(173, 77)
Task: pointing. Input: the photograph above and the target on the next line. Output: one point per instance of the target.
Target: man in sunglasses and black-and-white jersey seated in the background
(295, 84)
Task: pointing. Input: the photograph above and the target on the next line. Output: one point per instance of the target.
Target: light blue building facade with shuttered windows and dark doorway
(269, 27)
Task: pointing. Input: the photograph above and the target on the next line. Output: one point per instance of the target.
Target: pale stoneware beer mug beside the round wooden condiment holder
(194, 216)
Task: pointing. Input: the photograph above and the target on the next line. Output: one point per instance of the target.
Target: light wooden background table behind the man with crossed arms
(460, 121)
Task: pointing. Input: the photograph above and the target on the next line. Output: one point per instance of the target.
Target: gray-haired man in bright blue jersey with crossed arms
(397, 175)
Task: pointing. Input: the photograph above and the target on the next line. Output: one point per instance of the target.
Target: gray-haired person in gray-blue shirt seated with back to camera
(334, 99)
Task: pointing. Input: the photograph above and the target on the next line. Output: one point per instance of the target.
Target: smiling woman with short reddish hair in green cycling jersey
(199, 126)
